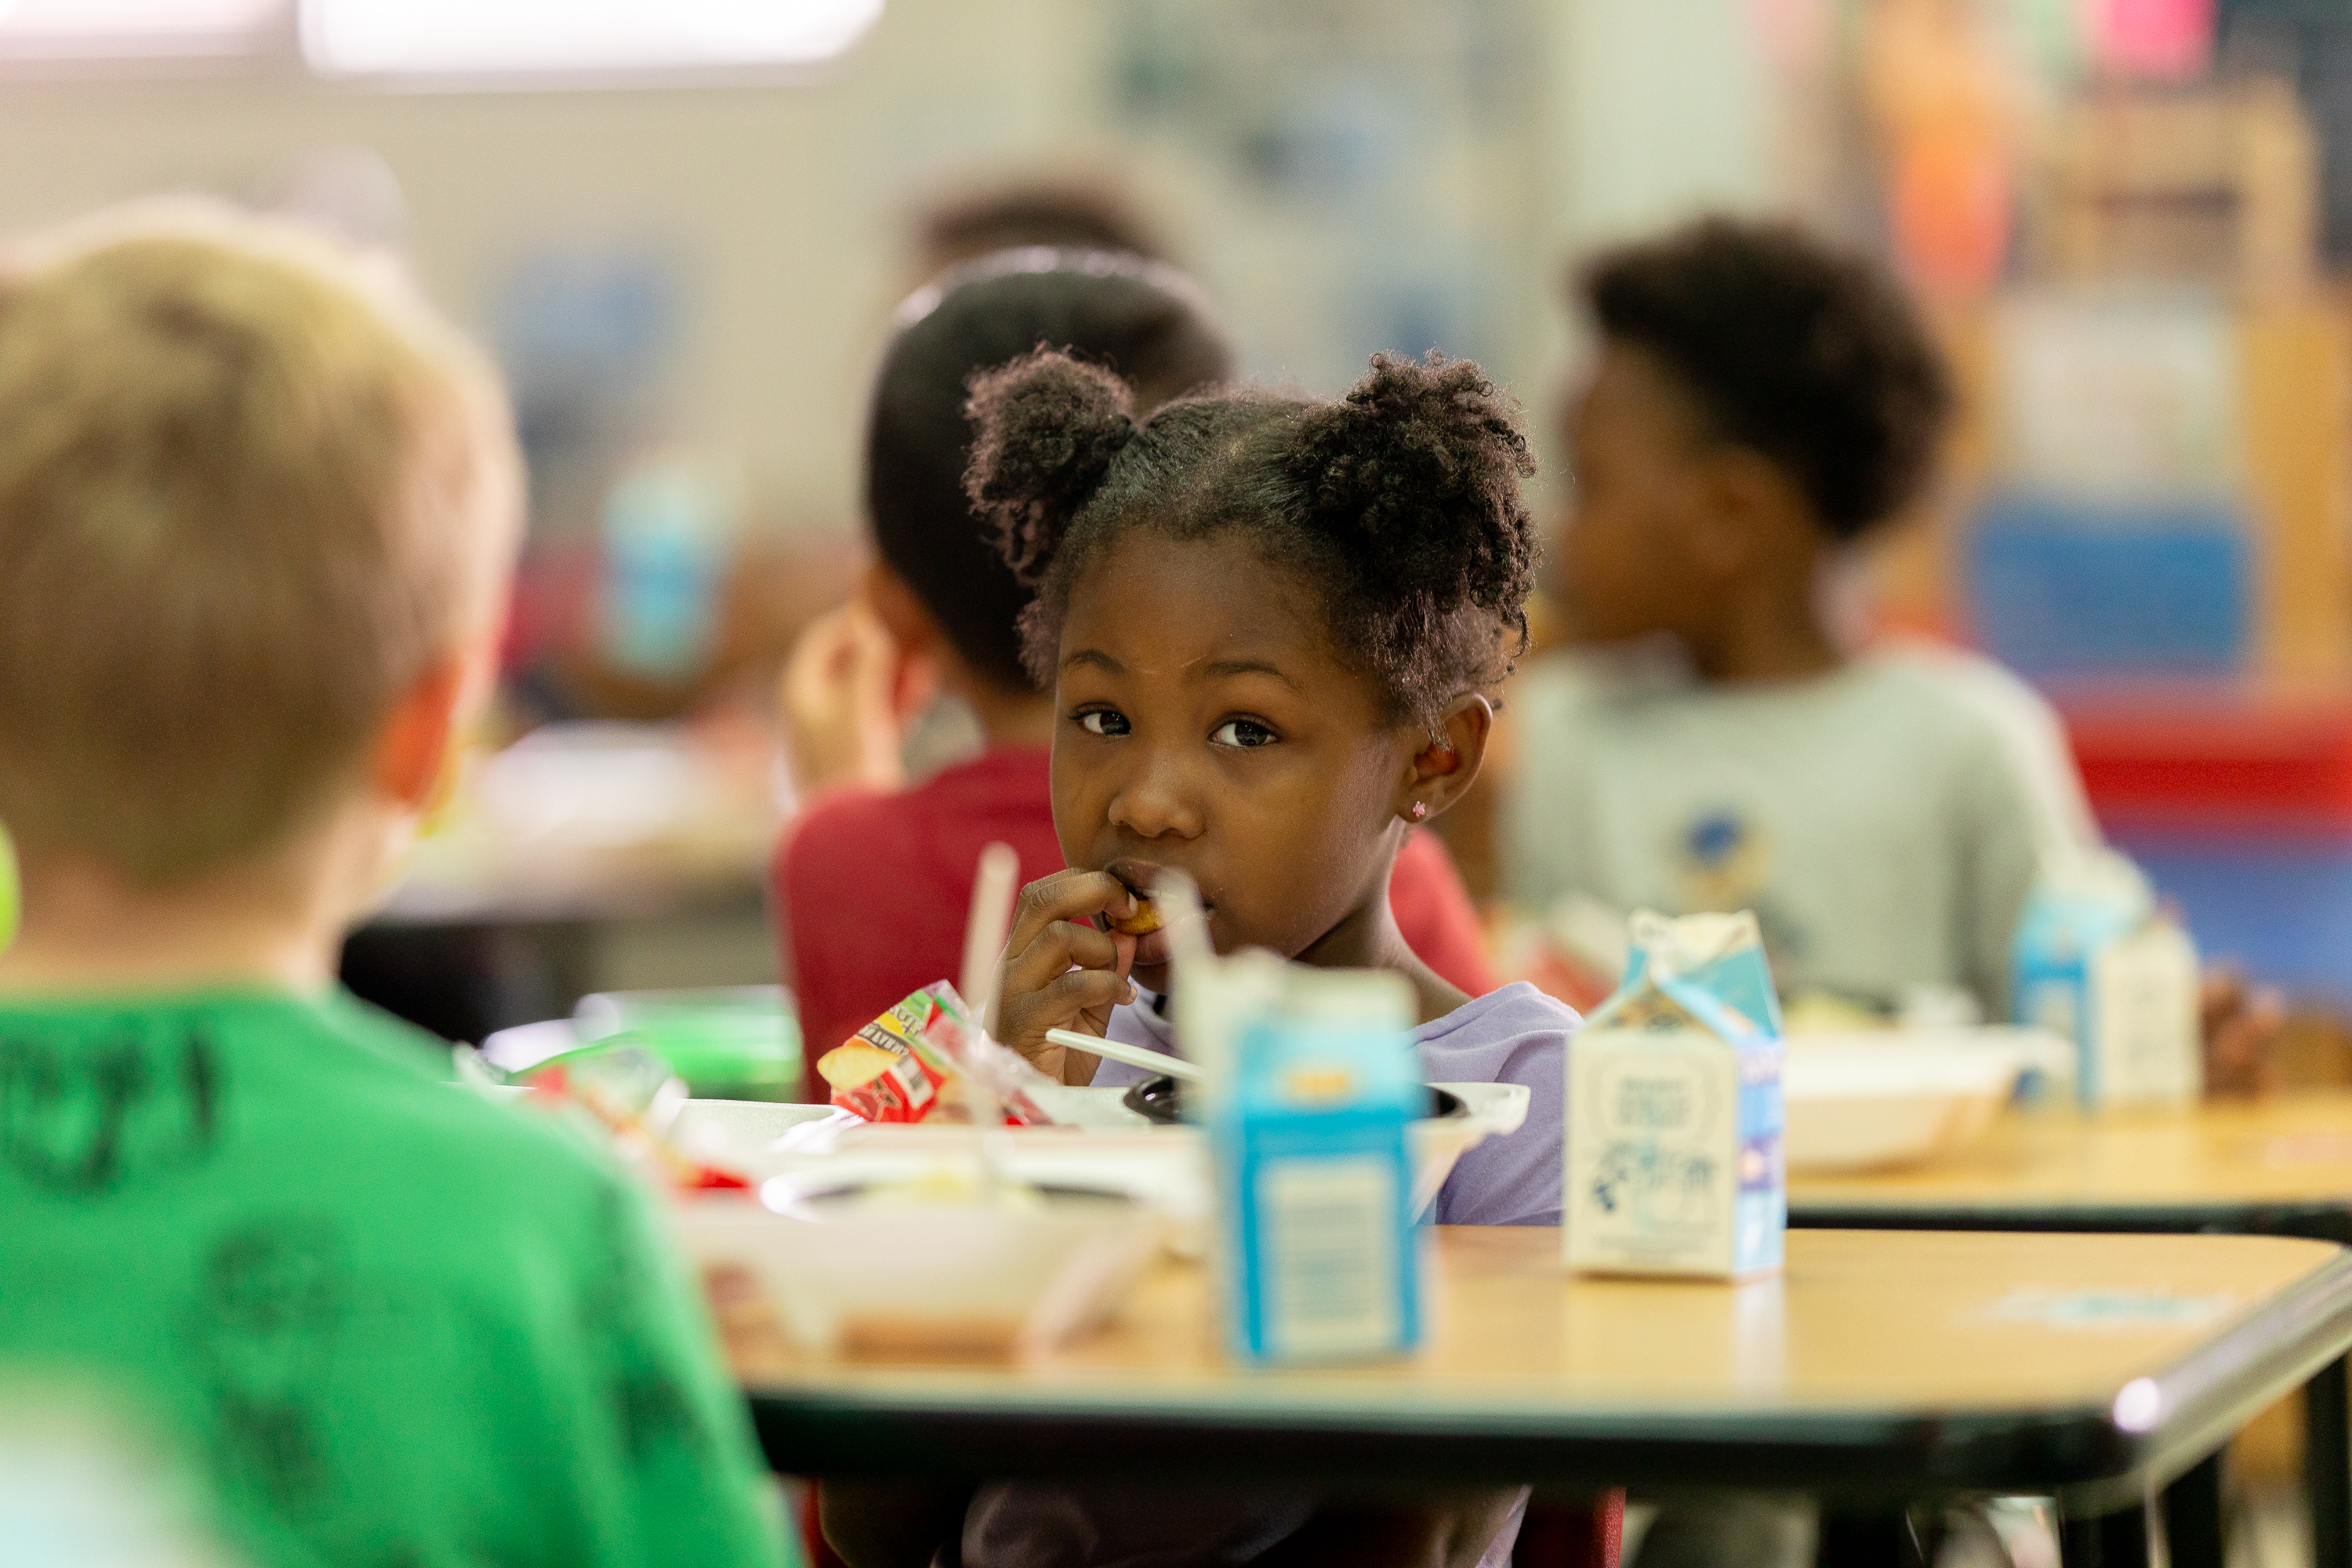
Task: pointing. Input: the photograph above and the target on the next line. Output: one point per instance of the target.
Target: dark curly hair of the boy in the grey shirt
(1793, 349)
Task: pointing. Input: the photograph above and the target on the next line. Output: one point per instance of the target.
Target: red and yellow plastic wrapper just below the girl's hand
(926, 1061)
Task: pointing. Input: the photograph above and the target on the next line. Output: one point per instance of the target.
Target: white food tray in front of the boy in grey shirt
(1878, 1099)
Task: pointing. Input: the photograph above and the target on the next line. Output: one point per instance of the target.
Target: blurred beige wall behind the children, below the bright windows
(784, 208)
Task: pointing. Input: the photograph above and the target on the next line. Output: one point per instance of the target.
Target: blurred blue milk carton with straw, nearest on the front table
(1321, 1257)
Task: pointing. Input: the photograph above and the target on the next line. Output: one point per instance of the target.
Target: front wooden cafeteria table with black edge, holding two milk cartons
(1883, 1367)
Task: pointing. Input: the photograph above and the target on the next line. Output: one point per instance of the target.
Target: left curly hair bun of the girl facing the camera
(1048, 429)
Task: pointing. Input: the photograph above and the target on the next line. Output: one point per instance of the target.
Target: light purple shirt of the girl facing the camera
(1511, 1036)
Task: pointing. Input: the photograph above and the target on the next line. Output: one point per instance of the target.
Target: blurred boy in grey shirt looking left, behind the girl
(1760, 408)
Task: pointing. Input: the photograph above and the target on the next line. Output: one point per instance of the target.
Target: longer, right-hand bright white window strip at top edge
(521, 39)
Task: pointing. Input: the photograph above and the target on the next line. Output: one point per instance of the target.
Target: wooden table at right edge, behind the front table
(2278, 1167)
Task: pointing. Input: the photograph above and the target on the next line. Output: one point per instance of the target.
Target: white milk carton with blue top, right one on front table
(1673, 1144)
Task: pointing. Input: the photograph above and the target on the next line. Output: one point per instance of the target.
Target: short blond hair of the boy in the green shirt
(253, 492)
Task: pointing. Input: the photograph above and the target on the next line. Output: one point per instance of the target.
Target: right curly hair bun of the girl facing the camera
(1419, 469)
